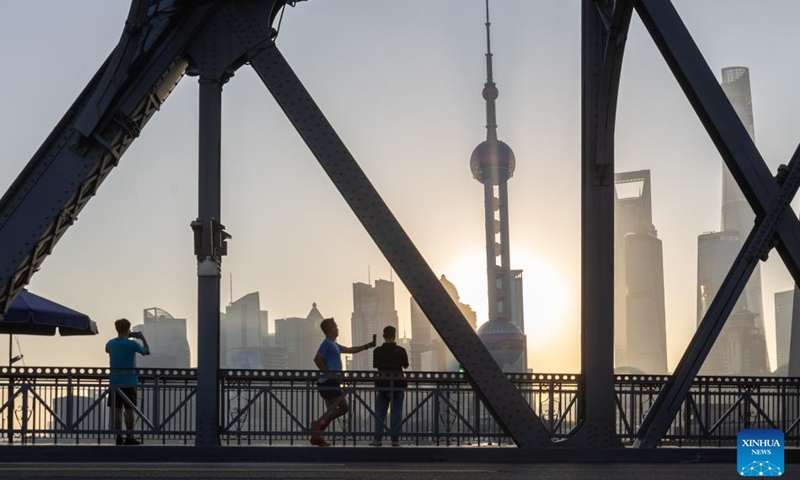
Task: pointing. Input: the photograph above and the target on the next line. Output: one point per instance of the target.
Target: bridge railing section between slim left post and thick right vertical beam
(439, 408)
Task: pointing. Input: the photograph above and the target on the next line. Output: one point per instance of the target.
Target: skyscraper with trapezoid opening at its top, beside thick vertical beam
(640, 336)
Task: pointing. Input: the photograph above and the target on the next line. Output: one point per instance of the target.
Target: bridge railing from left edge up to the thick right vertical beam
(265, 407)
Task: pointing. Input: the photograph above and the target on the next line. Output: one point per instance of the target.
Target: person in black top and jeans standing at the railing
(389, 357)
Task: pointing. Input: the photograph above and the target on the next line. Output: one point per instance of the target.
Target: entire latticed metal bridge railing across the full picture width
(269, 407)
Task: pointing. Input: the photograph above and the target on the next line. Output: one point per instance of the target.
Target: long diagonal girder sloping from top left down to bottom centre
(514, 415)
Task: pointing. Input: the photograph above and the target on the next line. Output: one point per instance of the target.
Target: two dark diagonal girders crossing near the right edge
(776, 226)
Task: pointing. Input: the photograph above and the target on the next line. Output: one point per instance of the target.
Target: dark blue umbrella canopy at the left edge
(31, 314)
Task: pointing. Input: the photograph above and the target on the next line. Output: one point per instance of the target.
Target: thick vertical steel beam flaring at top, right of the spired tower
(604, 30)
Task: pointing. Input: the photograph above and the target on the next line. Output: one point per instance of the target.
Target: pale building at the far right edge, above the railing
(787, 332)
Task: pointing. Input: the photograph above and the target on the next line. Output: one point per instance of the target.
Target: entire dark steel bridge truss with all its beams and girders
(163, 40)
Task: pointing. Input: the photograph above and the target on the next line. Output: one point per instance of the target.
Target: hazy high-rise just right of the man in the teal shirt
(166, 336)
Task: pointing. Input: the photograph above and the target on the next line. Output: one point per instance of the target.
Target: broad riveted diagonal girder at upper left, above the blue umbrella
(65, 173)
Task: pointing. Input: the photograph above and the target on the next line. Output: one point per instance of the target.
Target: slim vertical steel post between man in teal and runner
(208, 268)
